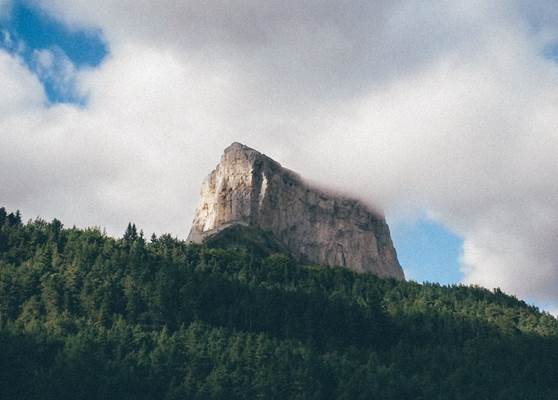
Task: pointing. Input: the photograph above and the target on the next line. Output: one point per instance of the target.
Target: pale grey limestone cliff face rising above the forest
(251, 189)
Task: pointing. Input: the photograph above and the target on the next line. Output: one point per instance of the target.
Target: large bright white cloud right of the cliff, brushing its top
(475, 146)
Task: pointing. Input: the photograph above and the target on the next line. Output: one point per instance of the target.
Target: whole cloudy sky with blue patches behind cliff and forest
(444, 115)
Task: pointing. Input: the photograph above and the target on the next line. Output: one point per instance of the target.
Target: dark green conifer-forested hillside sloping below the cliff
(87, 316)
